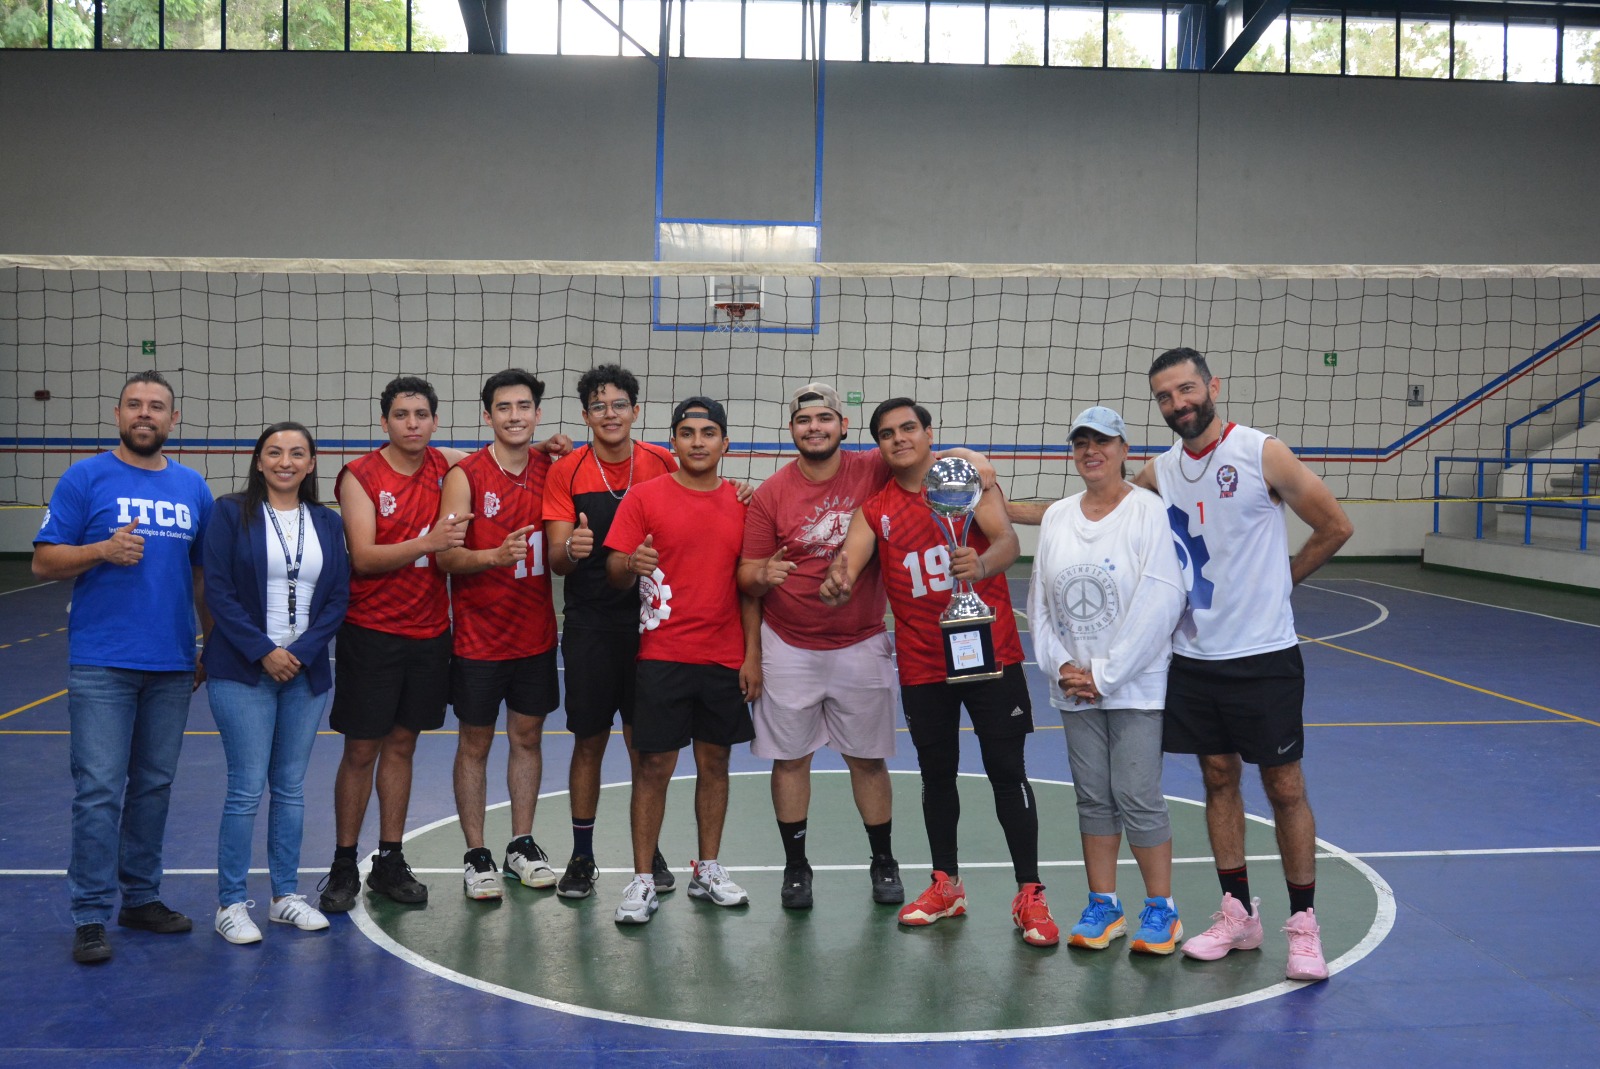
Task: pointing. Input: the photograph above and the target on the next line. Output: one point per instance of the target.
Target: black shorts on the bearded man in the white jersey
(1249, 707)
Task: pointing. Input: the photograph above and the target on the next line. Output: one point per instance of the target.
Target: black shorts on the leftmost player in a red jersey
(385, 681)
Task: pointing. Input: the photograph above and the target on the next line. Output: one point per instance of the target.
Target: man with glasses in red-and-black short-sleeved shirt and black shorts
(601, 623)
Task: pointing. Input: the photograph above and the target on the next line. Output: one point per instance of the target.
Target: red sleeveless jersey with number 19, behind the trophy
(918, 574)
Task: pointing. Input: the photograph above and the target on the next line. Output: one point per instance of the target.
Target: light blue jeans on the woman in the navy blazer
(268, 732)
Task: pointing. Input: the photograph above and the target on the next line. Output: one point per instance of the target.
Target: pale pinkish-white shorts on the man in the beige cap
(814, 699)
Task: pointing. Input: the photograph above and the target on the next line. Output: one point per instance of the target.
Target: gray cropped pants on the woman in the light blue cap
(1116, 758)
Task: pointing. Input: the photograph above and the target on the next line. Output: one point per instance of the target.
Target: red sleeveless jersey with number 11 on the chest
(505, 614)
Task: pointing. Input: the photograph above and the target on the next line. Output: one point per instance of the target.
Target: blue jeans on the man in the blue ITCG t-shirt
(127, 734)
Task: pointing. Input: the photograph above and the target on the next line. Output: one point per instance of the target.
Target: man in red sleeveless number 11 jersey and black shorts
(505, 627)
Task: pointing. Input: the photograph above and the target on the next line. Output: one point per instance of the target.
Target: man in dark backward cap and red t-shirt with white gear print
(700, 657)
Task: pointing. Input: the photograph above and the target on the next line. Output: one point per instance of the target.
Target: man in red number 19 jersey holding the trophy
(919, 572)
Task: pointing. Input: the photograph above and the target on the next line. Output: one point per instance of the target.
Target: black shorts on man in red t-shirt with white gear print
(682, 703)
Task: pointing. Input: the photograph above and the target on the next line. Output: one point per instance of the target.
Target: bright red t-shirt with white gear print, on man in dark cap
(689, 611)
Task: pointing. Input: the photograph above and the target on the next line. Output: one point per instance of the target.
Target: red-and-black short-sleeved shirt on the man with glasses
(575, 486)
